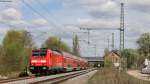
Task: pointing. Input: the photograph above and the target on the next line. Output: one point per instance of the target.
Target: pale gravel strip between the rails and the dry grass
(83, 79)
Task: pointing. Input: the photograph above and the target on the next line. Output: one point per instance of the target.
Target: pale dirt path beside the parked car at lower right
(139, 75)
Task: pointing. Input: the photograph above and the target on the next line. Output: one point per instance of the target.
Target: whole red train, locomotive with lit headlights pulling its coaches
(44, 61)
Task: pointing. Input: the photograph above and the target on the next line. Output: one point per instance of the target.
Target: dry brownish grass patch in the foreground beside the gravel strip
(112, 76)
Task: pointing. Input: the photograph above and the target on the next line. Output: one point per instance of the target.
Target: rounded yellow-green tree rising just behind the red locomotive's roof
(55, 43)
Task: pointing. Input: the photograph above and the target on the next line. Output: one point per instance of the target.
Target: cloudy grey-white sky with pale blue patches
(45, 18)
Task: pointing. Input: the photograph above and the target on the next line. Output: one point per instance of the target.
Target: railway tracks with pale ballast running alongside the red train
(52, 79)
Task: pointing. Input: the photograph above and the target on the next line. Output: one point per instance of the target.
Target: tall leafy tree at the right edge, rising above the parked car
(144, 45)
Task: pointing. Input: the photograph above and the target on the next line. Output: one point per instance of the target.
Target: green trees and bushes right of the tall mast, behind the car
(135, 57)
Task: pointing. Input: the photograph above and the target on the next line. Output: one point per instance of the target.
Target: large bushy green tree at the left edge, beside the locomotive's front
(16, 46)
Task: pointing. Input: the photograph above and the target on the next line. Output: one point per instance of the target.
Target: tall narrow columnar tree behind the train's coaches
(76, 46)
